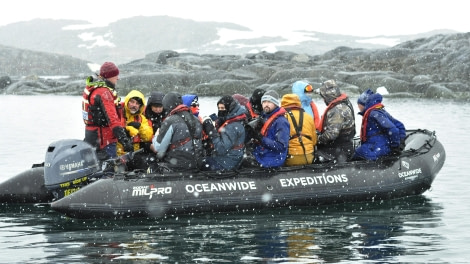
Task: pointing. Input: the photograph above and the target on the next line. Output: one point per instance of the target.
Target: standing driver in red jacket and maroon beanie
(103, 127)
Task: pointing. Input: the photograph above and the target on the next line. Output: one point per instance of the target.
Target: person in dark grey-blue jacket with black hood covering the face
(227, 137)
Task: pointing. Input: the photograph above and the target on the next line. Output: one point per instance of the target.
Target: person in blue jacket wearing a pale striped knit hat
(271, 135)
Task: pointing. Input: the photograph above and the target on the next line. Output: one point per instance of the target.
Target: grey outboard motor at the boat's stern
(68, 166)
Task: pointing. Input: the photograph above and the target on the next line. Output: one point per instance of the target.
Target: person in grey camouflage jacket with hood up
(338, 125)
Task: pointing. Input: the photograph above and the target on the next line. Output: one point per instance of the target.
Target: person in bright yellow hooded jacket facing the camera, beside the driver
(137, 127)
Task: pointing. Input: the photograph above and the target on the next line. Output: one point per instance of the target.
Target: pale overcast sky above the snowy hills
(350, 17)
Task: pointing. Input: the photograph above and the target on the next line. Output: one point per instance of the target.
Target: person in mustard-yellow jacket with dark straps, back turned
(303, 136)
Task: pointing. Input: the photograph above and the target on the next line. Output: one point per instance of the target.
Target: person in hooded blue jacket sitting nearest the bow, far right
(381, 134)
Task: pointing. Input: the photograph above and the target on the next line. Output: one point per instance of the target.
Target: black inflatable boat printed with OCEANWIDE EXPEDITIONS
(139, 194)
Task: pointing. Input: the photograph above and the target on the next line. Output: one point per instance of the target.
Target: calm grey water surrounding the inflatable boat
(431, 228)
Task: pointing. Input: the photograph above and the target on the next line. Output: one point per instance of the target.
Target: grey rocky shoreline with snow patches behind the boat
(435, 67)
